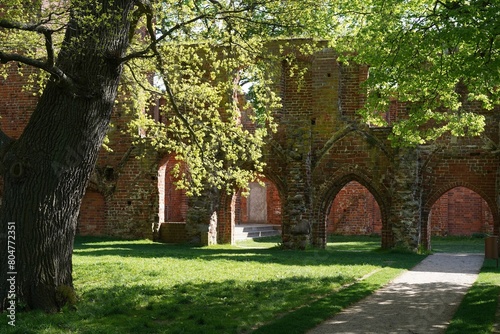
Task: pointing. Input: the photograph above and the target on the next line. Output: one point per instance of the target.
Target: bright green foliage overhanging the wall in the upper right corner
(437, 56)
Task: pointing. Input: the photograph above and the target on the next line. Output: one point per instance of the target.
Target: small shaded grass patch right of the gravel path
(476, 313)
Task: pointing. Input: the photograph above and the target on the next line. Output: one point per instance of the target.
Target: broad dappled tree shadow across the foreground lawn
(228, 306)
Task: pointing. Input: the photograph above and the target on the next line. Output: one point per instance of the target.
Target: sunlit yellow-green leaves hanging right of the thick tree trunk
(214, 66)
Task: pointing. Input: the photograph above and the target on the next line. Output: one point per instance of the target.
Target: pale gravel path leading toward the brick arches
(422, 300)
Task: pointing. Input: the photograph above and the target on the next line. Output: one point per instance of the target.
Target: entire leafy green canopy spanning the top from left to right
(202, 56)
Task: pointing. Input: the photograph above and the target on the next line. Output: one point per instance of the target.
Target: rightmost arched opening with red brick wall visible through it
(460, 212)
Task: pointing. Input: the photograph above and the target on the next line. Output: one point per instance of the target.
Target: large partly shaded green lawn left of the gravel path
(145, 287)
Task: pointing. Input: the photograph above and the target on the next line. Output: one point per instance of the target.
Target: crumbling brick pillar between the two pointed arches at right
(406, 204)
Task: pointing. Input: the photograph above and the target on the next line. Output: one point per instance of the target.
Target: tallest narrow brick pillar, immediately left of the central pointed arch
(295, 139)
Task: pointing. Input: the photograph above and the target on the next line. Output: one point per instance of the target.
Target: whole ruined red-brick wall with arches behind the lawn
(320, 147)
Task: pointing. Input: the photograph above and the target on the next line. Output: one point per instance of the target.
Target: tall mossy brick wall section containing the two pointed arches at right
(321, 146)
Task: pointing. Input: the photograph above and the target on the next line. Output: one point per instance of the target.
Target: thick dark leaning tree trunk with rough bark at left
(47, 169)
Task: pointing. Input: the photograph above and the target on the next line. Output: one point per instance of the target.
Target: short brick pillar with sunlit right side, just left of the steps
(201, 218)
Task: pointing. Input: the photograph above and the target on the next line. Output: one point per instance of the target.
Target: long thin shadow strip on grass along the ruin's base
(315, 257)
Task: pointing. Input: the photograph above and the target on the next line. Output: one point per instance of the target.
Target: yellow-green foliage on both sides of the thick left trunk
(194, 55)
